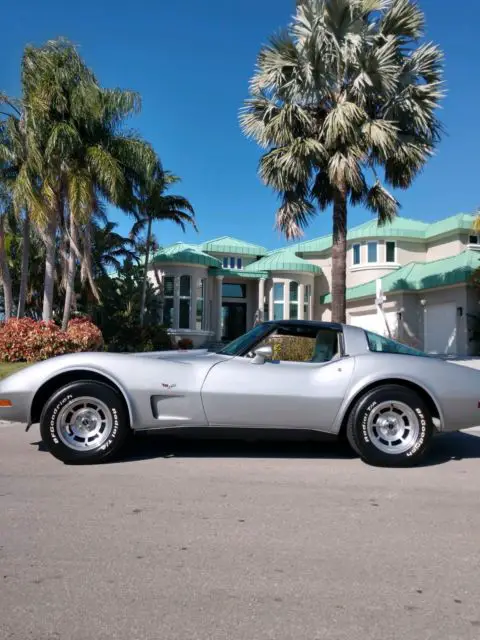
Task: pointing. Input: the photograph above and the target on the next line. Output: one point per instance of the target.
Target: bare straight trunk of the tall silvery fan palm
(339, 256)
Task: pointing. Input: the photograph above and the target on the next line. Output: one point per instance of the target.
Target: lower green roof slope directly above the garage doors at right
(416, 276)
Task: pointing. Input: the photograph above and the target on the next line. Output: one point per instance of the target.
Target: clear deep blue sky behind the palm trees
(191, 62)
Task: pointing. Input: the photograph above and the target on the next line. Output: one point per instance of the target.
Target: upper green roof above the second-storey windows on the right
(399, 228)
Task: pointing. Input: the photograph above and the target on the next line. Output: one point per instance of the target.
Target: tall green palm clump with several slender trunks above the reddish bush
(89, 155)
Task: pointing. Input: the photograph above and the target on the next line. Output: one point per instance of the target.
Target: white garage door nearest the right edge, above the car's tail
(441, 328)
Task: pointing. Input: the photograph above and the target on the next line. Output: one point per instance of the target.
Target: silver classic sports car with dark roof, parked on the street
(386, 398)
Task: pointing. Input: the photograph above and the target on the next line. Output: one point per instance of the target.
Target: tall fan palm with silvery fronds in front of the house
(346, 91)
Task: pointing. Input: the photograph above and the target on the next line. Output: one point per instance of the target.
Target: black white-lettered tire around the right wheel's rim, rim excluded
(367, 405)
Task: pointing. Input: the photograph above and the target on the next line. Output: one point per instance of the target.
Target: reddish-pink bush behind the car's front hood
(27, 340)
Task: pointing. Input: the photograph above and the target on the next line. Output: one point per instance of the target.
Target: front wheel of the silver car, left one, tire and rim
(84, 422)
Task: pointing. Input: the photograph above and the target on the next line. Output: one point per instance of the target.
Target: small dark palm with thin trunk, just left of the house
(153, 206)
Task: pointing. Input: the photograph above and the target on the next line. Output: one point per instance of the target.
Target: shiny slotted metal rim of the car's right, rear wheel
(393, 427)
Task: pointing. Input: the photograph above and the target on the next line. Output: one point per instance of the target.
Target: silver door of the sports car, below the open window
(281, 394)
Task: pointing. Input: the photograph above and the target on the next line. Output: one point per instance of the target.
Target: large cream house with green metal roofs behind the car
(216, 290)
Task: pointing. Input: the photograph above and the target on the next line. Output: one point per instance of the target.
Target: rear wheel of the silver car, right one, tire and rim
(390, 426)
